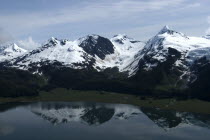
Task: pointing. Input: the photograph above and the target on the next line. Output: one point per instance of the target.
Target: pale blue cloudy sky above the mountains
(31, 22)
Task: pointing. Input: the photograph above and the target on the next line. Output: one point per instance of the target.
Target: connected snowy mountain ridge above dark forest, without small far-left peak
(120, 51)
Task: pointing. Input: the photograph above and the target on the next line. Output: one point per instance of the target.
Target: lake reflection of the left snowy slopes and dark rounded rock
(91, 114)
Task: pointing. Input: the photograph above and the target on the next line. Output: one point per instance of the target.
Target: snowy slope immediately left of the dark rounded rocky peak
(63, 51)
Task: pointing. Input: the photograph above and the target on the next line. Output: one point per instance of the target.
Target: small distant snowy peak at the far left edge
(10, 51)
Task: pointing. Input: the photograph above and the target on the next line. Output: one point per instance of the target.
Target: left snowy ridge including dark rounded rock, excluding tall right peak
(83, 51)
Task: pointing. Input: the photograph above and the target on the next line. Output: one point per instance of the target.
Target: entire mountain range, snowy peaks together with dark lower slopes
(168, 62)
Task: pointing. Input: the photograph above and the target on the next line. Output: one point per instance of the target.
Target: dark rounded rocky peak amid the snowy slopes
(96, 45)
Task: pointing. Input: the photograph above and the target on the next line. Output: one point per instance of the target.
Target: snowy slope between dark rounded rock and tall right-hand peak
(125, 49)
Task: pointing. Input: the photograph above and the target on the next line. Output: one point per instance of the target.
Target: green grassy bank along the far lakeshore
(197, 106)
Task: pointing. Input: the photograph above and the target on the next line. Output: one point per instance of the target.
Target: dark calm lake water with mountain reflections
(95, 121)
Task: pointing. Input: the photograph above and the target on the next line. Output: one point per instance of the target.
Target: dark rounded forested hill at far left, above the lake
(14, 83)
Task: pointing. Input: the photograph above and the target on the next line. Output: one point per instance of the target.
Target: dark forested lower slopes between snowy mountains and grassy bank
(159, 82)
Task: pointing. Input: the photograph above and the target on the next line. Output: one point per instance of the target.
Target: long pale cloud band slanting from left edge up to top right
(91, 11)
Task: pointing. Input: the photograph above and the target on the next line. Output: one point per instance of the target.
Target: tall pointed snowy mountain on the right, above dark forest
(169, 43)
